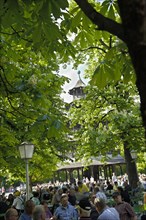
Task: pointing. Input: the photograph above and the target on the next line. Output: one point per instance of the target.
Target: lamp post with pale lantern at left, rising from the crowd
(26, 152)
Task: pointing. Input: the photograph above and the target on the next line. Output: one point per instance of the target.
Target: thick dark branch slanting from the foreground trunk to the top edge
(103, 23)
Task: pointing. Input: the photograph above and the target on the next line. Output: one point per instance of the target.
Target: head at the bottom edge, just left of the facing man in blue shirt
(39, 213)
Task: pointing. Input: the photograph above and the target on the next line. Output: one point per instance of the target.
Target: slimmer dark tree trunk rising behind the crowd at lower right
(131, 167)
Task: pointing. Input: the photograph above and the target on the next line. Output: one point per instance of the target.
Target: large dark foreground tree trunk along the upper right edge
(133, 14)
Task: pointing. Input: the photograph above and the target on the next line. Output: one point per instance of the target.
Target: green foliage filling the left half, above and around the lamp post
(31, 108)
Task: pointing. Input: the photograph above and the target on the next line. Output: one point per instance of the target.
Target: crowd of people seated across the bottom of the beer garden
(84, 199)
